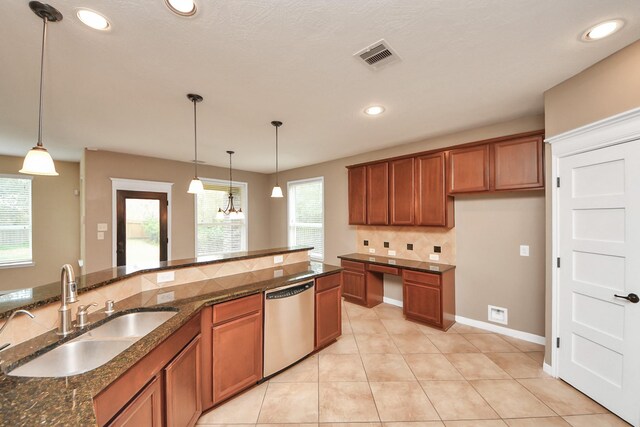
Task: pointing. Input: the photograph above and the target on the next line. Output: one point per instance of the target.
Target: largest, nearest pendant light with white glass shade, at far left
(38, 161)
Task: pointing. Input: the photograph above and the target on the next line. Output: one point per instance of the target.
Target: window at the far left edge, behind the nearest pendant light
(15, 220)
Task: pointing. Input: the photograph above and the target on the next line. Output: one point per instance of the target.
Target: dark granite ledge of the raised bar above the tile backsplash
(29, 298)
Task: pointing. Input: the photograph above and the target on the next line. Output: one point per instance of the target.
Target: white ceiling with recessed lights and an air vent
(464, 63)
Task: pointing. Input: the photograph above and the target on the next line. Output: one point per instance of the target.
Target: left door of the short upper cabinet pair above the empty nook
(469, 169)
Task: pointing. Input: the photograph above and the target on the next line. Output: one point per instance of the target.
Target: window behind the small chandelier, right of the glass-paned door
(214, 236)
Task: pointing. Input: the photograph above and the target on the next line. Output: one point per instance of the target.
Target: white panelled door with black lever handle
(599, 247)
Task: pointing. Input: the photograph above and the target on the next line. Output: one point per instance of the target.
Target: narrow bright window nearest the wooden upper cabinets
(306, 215)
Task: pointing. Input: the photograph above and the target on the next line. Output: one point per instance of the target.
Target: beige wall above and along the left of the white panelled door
(607, 88)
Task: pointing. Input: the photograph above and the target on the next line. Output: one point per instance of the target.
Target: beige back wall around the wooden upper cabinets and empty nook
(478, 269)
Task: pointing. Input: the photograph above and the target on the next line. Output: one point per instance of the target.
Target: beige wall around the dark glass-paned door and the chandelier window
(101, 166)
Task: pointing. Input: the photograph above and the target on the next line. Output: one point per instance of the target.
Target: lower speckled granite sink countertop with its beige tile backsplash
(69, 400)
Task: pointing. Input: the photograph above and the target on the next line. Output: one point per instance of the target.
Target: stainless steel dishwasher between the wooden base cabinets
(288, 325)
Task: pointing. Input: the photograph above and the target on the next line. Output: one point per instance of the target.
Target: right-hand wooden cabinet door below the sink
(183, 388)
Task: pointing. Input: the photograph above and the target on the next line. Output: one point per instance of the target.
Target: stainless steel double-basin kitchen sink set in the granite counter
(95, 347)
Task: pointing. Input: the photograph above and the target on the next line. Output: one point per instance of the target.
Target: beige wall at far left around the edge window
(56, 225)
